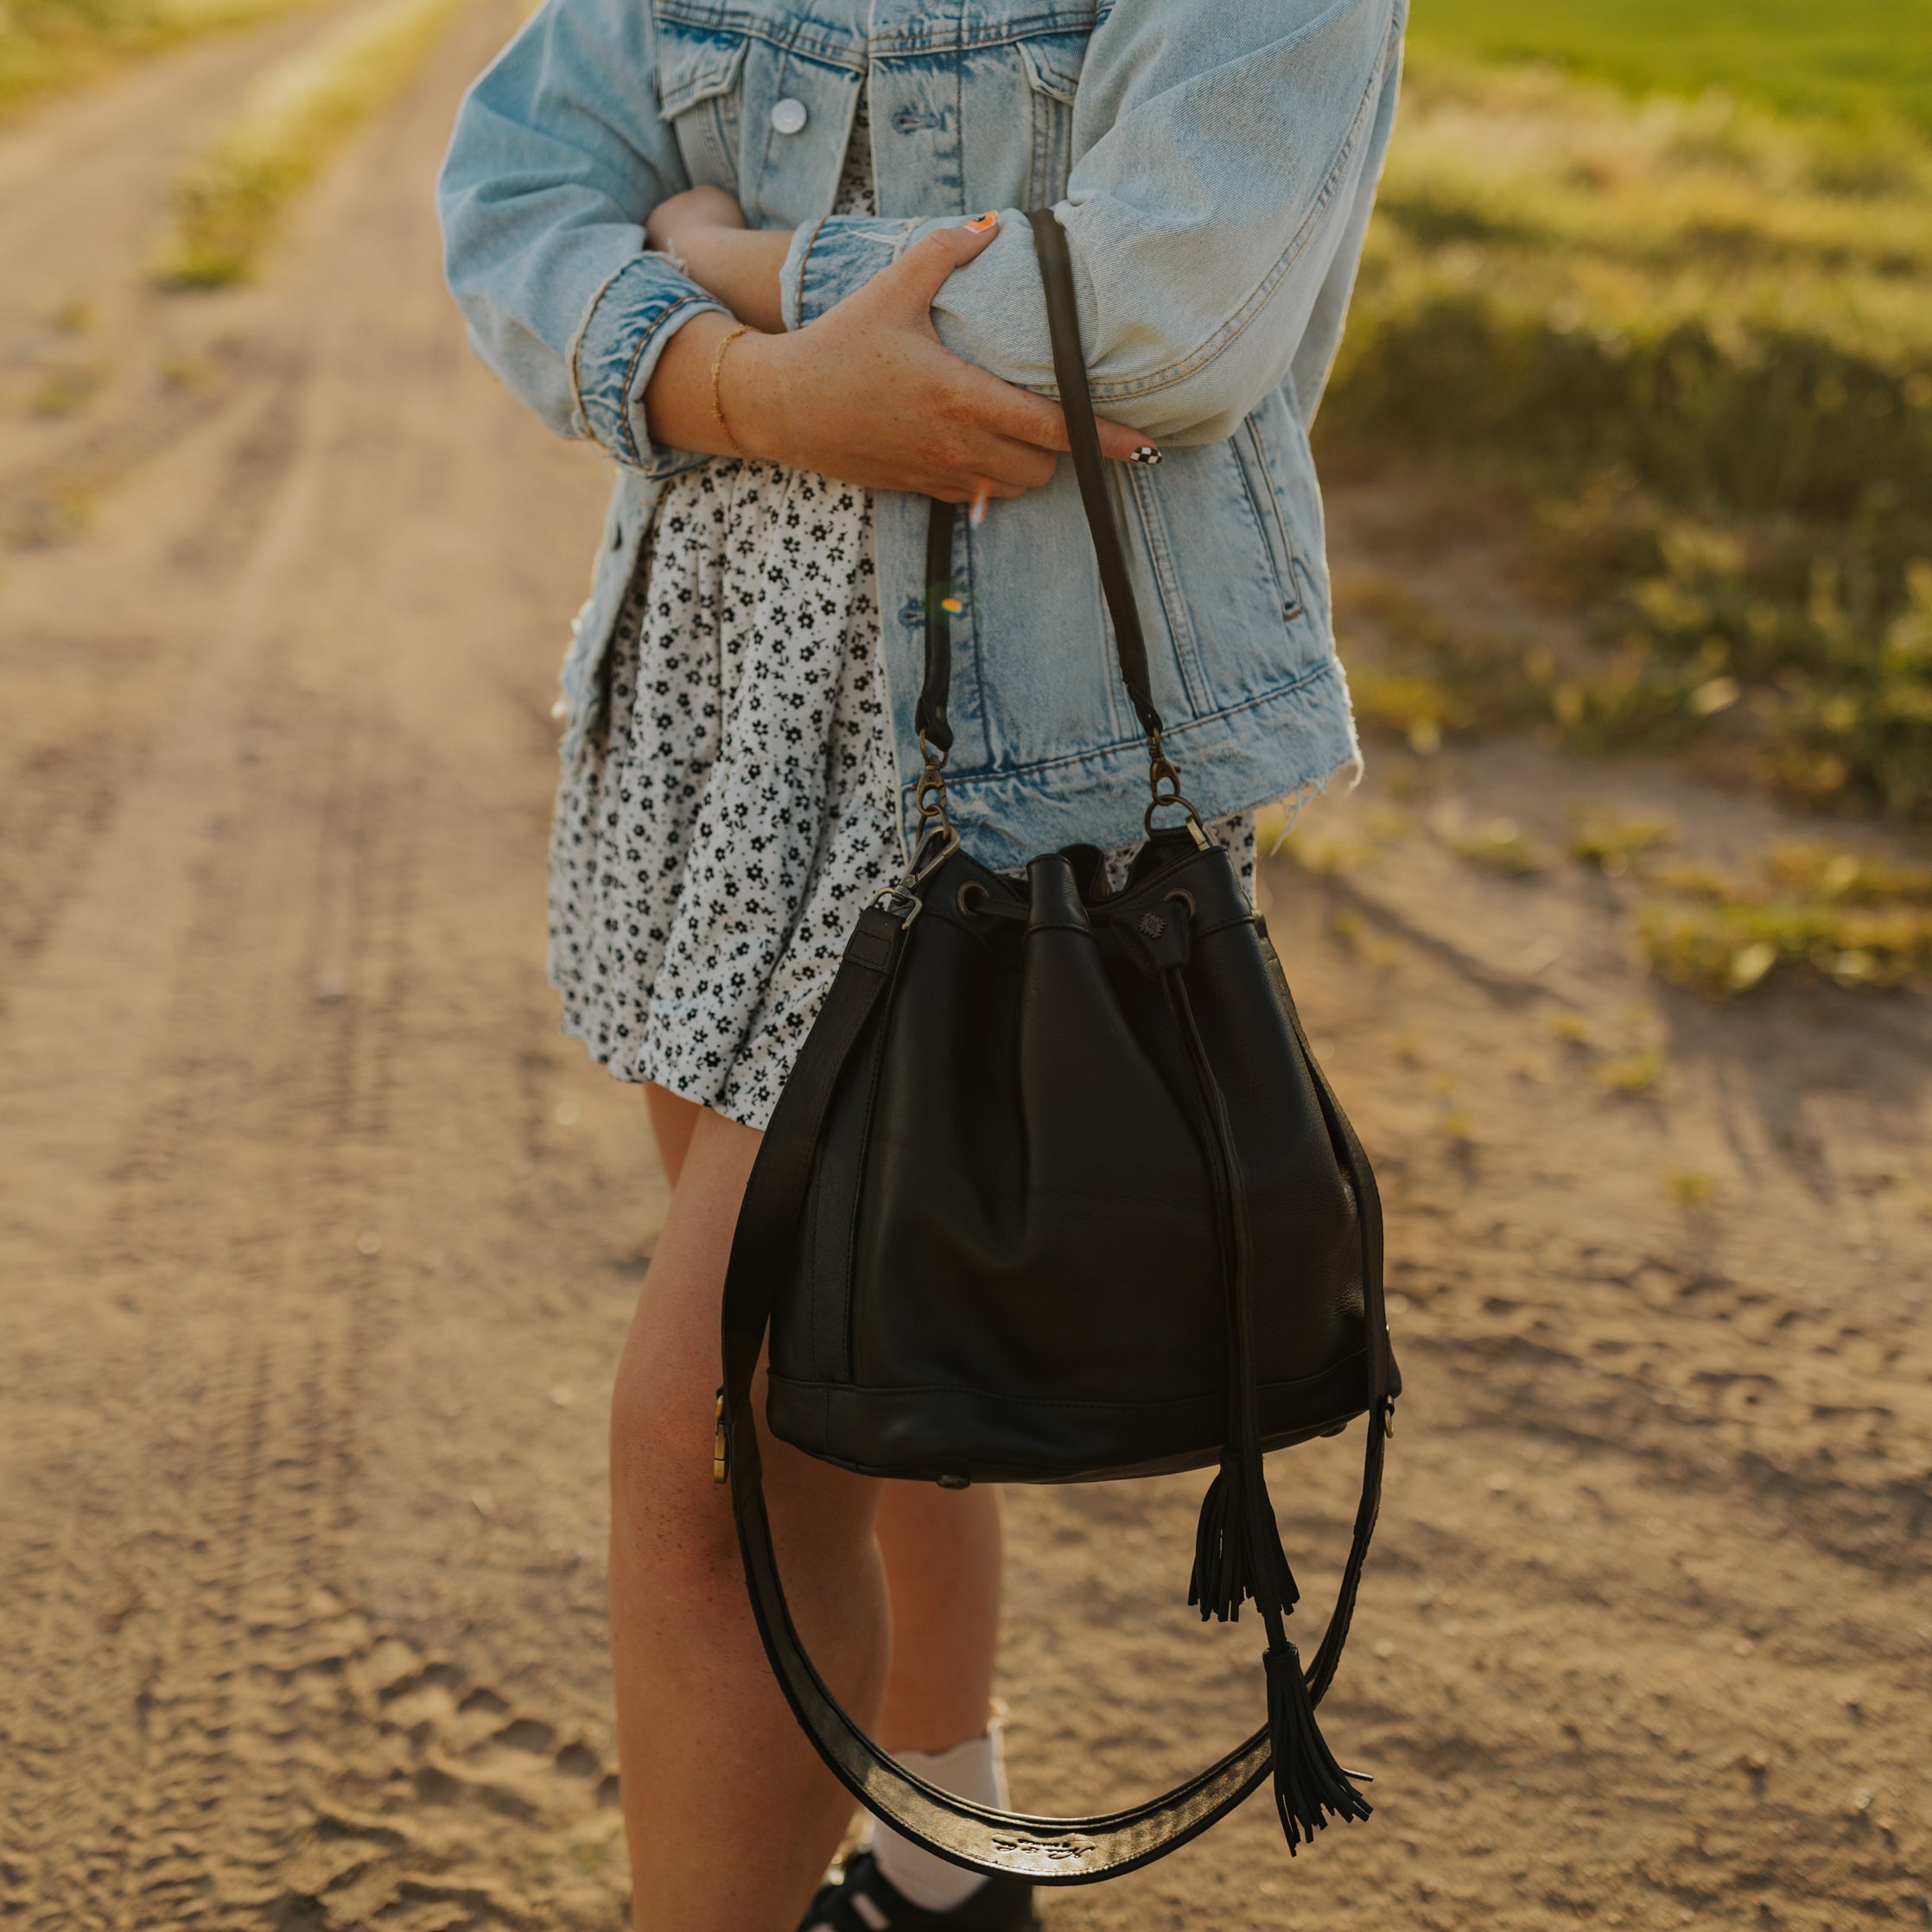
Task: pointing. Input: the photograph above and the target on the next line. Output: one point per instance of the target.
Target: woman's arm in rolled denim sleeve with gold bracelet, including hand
(557, 152)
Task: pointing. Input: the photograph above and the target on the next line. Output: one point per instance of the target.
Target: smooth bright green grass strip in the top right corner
(1848, 59)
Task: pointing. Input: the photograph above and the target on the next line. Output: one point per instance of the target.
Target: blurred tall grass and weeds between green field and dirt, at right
(1691, 349)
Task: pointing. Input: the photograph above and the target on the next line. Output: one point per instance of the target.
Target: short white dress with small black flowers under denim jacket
(720, 838)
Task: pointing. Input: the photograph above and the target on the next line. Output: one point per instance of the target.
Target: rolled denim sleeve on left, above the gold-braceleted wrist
(557, 157)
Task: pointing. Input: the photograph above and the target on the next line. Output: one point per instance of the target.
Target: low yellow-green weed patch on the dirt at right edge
(1833, 913)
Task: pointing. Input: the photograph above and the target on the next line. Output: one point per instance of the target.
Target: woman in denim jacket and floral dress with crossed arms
(733, 244)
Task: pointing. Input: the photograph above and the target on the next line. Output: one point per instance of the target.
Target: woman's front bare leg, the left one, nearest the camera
(729, 1813)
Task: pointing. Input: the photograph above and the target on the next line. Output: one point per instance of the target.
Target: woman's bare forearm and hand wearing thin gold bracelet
(870, 395)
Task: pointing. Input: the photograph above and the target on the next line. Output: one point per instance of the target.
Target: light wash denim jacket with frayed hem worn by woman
(1212, 161)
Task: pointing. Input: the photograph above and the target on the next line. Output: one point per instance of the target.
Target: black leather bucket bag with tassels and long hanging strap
(1058, 1193)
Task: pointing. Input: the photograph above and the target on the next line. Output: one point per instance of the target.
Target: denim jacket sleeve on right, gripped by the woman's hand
(1226, 159)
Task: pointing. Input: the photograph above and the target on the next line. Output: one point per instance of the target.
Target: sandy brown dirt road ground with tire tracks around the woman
(318, 1243)
